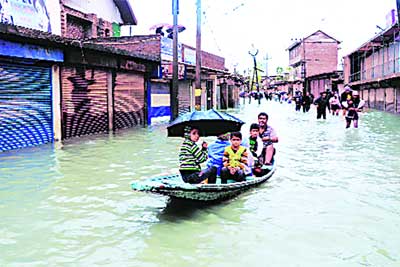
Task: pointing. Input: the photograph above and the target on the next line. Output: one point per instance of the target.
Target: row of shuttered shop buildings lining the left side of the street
(77, 77)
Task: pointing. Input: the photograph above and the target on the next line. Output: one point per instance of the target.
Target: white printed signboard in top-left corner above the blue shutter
(27, 13)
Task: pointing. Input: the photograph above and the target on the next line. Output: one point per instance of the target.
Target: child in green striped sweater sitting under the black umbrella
(190, 158)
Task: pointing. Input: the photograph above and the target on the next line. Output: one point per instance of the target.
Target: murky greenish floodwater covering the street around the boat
(333, 201)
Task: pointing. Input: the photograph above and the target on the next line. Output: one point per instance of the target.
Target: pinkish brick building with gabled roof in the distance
(312, 56)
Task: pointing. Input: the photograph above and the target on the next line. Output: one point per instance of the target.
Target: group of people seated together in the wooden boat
(230, 157)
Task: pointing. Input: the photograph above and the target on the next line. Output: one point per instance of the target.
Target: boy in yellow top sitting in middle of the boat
(235, 160)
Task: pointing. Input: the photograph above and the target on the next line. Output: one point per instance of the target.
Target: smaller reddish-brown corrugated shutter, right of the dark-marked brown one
(128, 100)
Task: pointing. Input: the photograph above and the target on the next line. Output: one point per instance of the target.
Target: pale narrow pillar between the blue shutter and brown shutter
(56, 99)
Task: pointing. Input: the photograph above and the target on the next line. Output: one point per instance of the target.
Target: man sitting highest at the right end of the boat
(268, 136)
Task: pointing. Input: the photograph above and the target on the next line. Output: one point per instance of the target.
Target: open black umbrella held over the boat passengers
(210, 123)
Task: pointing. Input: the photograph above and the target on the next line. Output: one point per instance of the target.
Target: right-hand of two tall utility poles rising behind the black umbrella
(198, 91)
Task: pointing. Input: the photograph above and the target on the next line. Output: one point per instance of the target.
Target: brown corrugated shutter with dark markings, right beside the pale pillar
(84, 101)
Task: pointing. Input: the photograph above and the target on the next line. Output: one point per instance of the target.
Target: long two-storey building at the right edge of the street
(374, 70)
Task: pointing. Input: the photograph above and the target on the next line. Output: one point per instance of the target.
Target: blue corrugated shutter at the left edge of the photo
(25, 106)
